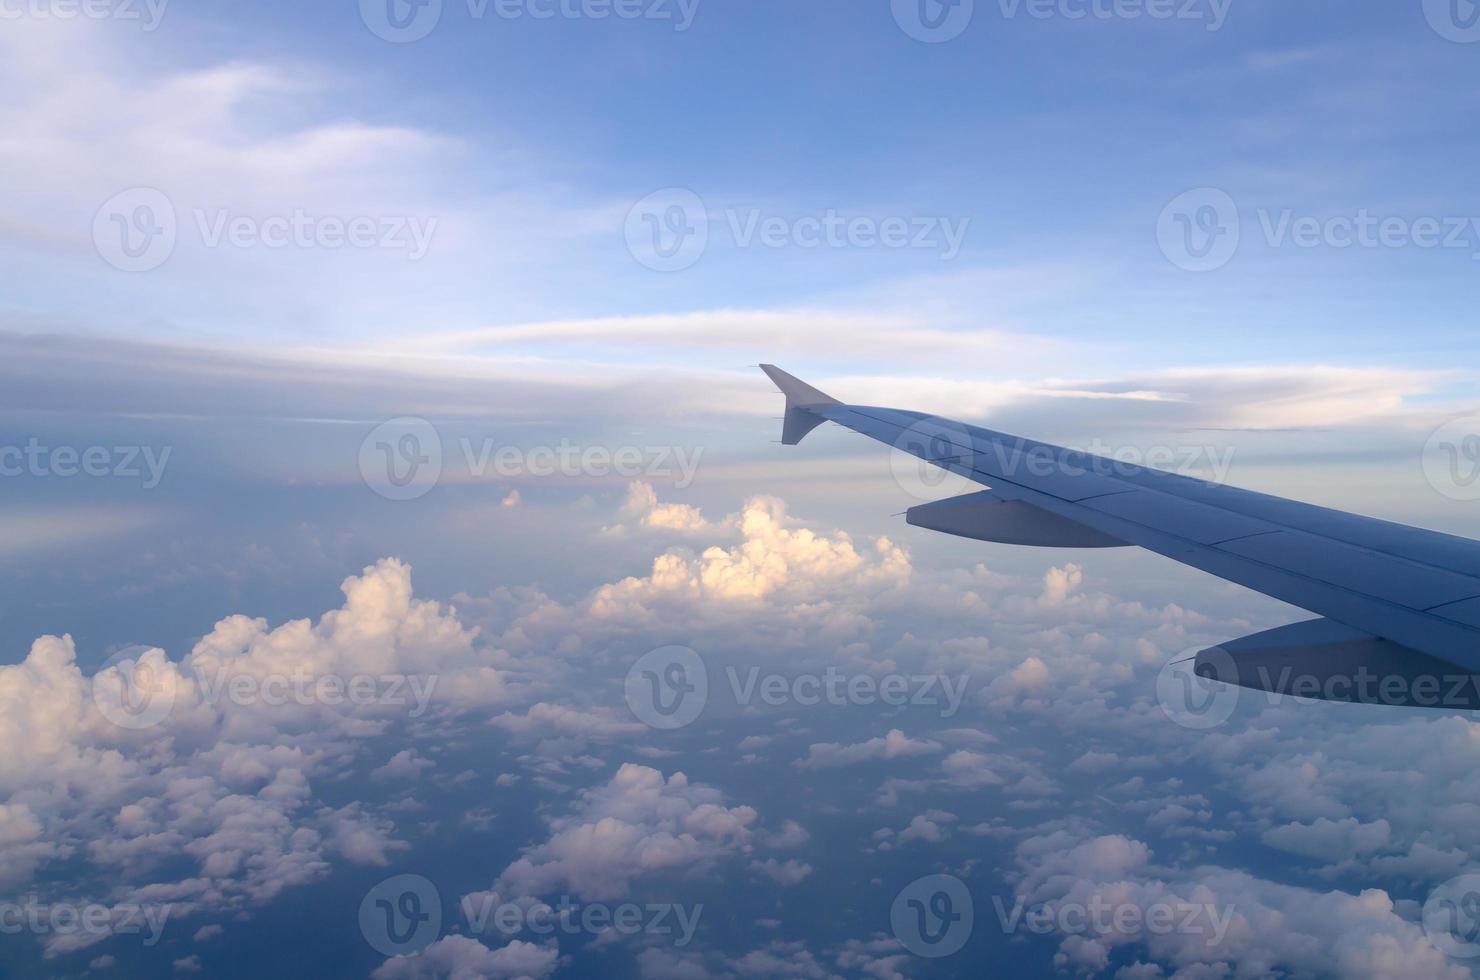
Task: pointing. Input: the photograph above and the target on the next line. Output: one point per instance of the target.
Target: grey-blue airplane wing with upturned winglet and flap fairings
(1399, 608)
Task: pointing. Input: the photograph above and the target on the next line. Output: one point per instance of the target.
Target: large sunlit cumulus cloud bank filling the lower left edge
(217, 763)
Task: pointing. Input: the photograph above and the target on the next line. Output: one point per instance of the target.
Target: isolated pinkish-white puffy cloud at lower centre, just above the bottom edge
(637, 825)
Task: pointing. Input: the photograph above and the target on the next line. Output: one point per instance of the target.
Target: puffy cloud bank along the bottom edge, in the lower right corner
(1211, 922)
